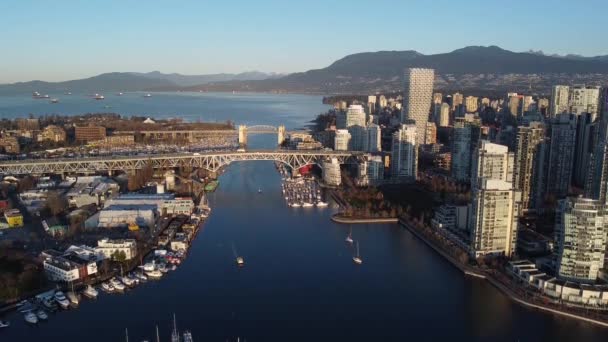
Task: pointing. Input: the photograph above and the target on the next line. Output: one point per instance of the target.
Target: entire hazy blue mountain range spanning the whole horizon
(484, 69)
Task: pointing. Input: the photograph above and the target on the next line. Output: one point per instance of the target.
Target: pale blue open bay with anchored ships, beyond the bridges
(294, 111)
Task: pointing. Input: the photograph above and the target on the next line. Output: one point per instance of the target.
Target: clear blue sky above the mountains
(60, 40)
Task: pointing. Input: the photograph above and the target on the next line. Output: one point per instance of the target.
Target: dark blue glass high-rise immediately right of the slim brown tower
(562, 140)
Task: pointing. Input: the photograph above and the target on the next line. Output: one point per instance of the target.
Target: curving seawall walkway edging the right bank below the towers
(496, 284)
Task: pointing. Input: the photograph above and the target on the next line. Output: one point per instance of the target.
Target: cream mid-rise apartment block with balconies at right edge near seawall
(580, 234)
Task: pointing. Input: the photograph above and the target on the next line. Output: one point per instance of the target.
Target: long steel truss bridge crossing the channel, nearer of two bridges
(212, 161)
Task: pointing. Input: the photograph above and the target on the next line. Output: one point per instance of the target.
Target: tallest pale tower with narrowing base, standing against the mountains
(417, 97)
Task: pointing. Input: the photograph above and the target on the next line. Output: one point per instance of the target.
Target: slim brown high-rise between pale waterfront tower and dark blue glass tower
(529, 164)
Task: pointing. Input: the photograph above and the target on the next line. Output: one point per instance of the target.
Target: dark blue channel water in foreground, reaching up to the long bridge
(300, 284)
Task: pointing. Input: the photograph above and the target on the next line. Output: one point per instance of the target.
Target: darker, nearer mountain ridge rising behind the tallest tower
(487, 68)
